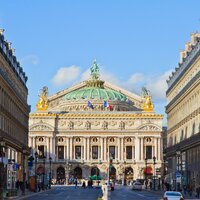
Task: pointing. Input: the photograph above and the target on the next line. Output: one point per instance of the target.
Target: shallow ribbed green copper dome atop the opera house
(95, 93)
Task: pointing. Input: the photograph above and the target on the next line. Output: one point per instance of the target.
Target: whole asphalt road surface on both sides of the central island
(79, 193)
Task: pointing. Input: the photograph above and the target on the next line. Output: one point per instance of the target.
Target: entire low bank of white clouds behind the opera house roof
(155, 83)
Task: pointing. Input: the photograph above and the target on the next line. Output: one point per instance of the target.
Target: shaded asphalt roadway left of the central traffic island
(67, 193)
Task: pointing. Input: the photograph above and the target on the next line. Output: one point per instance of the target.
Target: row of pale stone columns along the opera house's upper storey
(138, 148)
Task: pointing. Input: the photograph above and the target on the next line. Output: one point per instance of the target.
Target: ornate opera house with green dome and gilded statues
(84, 126)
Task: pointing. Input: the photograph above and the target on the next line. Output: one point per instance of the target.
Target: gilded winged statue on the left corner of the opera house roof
(42, 104)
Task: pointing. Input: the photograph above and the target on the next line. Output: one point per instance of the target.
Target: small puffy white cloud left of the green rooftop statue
(66, 75)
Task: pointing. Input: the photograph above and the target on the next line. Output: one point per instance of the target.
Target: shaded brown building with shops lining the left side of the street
(14, 112)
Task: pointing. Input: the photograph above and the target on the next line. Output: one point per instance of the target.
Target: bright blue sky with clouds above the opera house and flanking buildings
(136, 43)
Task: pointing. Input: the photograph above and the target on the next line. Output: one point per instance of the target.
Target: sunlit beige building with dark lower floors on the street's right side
(183, 113)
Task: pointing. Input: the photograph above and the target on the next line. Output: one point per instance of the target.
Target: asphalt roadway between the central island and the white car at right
(125, 193)
